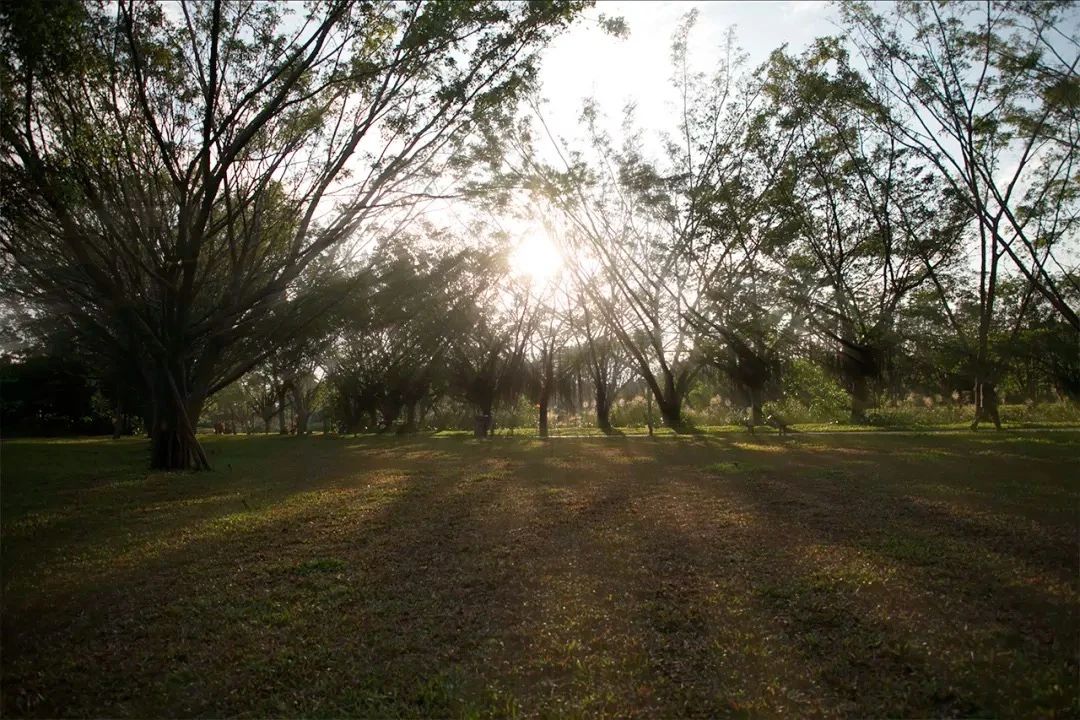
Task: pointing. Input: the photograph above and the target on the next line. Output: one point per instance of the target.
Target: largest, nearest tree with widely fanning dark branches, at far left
(171, 175)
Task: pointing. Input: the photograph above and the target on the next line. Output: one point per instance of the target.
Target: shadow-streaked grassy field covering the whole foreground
(841, 576)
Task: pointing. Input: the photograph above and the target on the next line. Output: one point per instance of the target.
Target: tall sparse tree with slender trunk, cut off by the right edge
(988, 94)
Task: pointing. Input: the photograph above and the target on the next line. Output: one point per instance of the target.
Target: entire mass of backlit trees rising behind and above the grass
(256, 199)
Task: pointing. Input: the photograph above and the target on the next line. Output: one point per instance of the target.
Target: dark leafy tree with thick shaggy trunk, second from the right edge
(862, 234)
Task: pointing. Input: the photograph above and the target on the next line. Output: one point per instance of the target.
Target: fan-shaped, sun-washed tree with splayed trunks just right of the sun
(677, 238)
